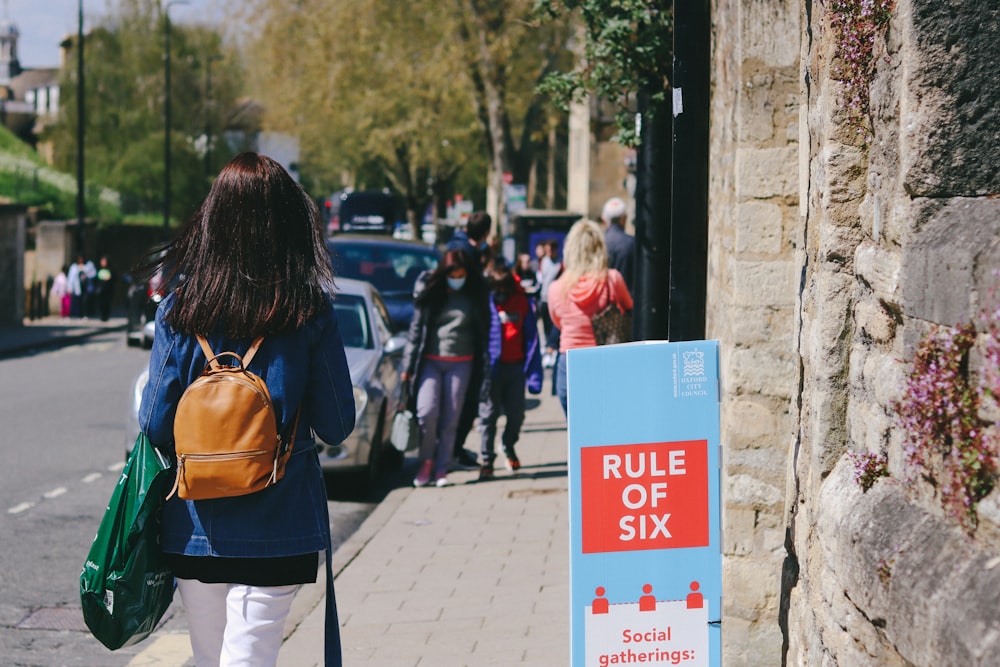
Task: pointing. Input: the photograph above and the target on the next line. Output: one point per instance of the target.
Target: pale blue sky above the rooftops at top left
(44, 23)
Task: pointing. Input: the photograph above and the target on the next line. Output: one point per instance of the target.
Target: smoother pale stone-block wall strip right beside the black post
(753, 278)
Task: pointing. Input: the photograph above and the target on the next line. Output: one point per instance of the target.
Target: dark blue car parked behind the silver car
(392, 265)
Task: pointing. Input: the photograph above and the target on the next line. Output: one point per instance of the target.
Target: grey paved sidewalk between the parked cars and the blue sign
(468, 575)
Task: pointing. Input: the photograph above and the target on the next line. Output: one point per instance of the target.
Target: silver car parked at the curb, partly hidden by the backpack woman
(374, 355)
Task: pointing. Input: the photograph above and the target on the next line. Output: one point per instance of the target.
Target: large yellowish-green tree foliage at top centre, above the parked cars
(419, 95)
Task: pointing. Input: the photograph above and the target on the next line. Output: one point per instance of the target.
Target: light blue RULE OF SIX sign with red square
(645, 531)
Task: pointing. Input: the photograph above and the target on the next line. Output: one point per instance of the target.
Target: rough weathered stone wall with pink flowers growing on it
(903, 236)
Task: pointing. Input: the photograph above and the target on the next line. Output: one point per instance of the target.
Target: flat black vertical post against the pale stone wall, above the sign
(689, 223)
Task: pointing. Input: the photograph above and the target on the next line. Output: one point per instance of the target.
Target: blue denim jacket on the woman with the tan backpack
(306, 367)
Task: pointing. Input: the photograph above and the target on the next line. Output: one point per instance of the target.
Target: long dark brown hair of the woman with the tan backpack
(252, 260)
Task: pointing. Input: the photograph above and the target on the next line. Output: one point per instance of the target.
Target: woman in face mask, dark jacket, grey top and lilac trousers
(446, 345)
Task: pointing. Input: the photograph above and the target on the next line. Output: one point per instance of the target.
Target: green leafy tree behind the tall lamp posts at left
(124, 88)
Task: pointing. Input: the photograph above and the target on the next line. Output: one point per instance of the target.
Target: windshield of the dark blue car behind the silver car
(389, 269)
